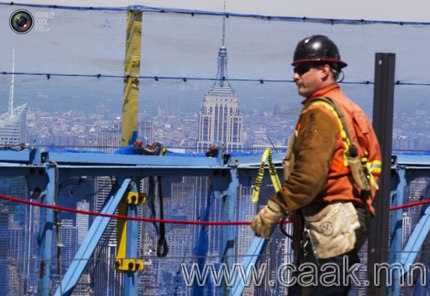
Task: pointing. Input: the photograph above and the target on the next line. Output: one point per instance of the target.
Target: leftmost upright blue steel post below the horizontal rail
(45, 237)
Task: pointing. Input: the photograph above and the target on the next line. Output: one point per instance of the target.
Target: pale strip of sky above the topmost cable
(397, 10)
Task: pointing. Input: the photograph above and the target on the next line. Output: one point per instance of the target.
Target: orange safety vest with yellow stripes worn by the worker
(339, 184)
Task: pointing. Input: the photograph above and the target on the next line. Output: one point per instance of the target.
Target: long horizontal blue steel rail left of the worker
(15, 163)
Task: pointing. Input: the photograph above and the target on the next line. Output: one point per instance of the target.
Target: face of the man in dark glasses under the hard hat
(309, 78)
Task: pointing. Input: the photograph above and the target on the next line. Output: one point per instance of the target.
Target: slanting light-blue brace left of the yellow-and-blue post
(90, 242)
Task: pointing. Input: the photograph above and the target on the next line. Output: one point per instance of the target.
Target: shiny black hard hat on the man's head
(318, 48)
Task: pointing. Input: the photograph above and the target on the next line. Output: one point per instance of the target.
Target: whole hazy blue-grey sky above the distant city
(176, 45)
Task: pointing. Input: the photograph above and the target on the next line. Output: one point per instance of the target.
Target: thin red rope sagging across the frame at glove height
(122, 217)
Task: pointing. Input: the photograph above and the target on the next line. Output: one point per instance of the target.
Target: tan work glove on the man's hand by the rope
(265, 219)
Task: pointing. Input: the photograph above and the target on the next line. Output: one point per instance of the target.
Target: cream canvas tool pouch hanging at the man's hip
(336, 229)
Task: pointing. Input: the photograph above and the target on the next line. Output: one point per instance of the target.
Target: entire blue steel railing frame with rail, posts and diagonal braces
(42, 169)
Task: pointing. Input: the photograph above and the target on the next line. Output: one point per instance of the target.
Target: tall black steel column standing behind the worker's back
(383, 106)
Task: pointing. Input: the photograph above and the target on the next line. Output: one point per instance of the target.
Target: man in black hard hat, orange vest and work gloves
(331, 172)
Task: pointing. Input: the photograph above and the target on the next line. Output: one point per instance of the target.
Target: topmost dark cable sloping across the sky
(191, 12)
